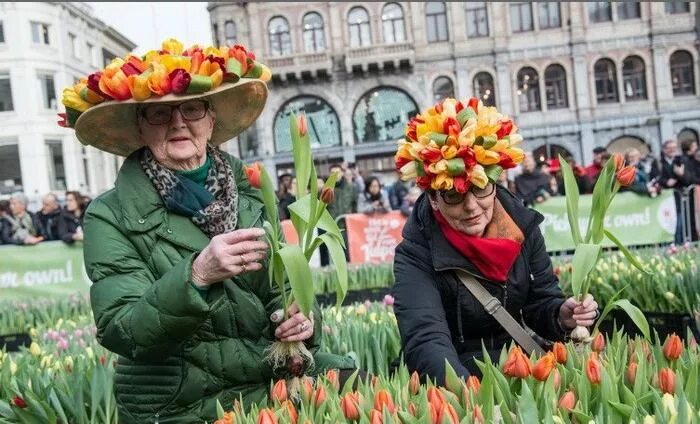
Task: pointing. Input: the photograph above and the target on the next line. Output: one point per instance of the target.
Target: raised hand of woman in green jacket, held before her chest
(228, 255)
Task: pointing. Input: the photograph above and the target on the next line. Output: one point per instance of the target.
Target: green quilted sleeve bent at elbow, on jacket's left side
(137, 315)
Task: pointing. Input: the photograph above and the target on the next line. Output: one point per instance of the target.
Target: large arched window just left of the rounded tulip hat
(381, 114)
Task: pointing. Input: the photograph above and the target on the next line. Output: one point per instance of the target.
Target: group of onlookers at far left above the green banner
(19, 226)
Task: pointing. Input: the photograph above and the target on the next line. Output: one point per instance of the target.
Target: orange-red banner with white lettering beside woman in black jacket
(373, 238)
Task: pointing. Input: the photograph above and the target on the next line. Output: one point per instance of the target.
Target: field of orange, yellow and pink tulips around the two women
(64, 376)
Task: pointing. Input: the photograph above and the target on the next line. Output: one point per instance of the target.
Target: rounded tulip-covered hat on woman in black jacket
(454, 145)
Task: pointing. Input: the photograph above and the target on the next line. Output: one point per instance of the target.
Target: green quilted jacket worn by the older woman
(179, 350)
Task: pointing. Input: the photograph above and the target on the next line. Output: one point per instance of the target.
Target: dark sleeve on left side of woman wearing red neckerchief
(425, 336)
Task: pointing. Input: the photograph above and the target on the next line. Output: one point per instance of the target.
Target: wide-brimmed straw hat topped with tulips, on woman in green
(103, 107)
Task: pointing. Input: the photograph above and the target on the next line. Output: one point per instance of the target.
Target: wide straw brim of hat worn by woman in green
(112, 126)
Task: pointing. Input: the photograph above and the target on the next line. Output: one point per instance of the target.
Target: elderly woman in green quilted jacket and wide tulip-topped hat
(180, 289)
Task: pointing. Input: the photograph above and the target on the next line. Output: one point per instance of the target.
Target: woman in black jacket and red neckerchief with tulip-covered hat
(464, 221)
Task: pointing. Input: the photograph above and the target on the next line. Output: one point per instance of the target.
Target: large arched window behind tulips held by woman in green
(323, 123)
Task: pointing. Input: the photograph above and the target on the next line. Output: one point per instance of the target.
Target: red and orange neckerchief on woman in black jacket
(494, 253)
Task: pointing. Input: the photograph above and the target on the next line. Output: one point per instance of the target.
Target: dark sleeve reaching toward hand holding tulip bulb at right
(544, 299)
